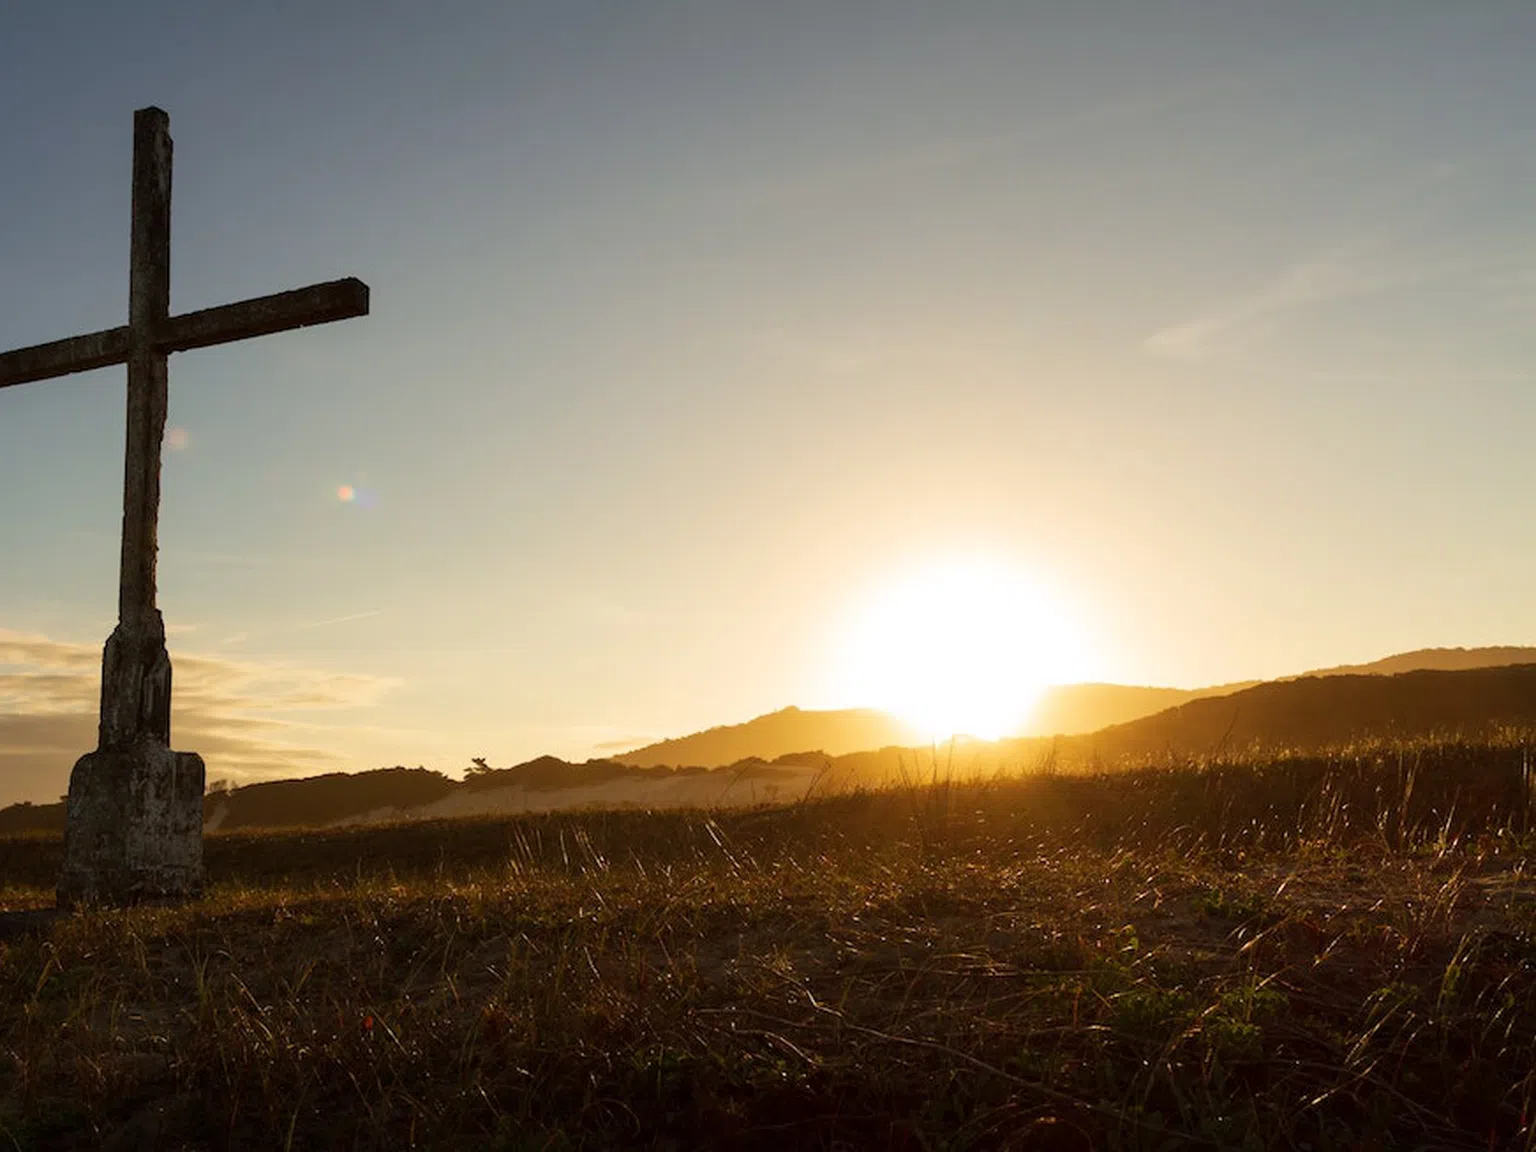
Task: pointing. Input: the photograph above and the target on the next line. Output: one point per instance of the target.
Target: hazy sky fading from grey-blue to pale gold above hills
(697, 325)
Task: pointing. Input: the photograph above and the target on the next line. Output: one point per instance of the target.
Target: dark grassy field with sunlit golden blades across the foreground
(1305, 953)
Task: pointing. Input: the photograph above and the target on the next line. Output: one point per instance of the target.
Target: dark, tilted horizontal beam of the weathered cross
(260, 317)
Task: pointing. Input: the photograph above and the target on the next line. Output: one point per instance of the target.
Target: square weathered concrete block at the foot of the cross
(134, 827)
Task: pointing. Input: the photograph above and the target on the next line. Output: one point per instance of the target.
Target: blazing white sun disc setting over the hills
(962, 647)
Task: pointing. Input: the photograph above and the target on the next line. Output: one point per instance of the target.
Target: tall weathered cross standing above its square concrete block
(136, 670)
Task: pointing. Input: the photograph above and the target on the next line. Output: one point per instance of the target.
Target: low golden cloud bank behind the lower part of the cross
(248, 720)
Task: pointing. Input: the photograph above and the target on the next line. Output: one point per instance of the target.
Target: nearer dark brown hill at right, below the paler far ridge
(1331, 710)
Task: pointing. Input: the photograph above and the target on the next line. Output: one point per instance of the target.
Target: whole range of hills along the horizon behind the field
(1454, 698)
